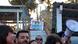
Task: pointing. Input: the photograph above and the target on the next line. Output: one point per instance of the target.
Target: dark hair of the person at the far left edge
(4, 30)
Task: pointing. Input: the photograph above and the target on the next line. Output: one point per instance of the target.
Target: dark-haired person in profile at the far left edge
(6, 35)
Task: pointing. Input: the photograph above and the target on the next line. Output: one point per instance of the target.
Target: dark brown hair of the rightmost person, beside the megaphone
(52, 39)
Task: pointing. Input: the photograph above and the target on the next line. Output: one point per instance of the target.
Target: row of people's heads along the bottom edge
(7, 36)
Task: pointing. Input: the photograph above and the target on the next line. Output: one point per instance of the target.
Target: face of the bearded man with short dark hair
(23, 38)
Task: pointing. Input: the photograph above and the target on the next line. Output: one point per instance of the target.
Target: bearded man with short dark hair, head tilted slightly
(22, 37)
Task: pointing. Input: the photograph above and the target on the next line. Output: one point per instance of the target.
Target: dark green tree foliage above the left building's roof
(30, 4)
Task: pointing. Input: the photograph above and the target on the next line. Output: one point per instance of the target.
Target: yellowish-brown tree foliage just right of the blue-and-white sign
(46, 16)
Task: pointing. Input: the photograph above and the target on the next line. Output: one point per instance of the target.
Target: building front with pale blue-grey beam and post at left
(12, 16)
